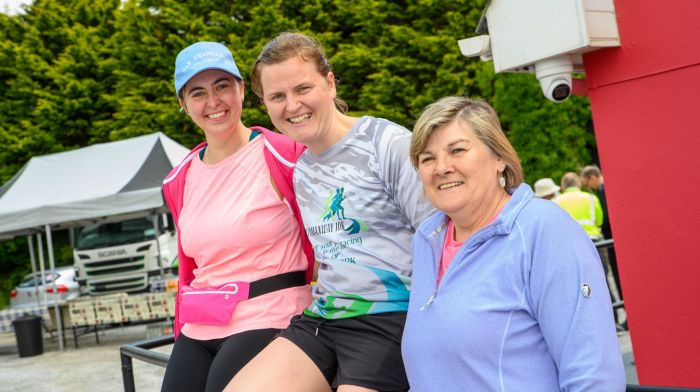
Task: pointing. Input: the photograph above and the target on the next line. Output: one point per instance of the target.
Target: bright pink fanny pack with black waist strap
(215, 305)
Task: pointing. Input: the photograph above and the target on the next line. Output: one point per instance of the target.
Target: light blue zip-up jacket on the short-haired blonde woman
(523, 306)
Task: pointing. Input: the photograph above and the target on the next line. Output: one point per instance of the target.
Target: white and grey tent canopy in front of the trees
(91, 183)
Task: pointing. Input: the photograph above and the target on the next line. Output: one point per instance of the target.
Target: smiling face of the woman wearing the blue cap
(214, 101)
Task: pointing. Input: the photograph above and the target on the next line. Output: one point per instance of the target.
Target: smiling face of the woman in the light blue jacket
(459, 172)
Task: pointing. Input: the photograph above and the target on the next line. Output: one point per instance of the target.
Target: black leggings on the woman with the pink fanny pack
(209, 365)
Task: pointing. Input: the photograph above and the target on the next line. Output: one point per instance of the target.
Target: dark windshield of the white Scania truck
(104, 235)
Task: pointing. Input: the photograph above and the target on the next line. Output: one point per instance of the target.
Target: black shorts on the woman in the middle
(363, 351)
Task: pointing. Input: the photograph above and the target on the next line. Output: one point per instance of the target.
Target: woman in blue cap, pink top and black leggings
(243, 257)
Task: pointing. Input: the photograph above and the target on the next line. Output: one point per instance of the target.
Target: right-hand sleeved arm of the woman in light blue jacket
(579, 330)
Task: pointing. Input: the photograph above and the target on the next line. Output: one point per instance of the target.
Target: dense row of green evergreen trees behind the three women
(80, 72)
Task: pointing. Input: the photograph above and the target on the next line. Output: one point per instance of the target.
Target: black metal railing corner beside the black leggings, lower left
(142, 350)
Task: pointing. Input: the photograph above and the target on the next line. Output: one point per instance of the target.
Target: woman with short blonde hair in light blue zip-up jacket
(508, 291)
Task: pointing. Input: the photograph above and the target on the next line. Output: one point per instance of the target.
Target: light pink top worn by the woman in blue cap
(236, 228)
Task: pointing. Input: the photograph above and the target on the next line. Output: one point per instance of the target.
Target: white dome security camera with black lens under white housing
(554, 75)
